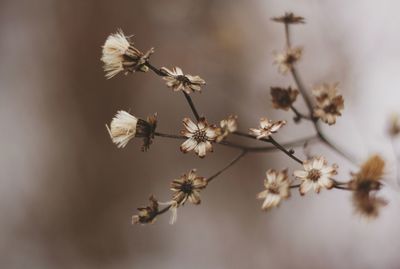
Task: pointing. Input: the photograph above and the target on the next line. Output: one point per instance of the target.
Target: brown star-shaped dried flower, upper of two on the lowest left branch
(188, 187)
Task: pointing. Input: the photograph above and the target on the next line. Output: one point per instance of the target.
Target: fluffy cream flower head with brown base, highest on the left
(120, 55)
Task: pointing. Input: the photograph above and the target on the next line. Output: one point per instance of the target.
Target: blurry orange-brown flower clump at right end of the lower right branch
(365, 185)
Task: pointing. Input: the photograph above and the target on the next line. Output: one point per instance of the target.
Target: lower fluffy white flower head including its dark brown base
(124, 127)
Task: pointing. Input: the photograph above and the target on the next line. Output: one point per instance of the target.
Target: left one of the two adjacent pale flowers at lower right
(277, 187)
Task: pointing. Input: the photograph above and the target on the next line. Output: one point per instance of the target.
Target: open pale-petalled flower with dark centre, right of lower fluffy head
(199, 136)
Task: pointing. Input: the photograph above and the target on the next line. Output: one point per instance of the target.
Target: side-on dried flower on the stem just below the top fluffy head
(179, 82)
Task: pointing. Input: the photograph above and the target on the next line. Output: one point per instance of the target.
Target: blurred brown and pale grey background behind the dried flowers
(67, 193)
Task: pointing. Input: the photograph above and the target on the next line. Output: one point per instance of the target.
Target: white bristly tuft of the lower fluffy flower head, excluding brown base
(122, 128)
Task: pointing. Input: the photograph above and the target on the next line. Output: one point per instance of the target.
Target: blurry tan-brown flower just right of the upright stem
(329, 104)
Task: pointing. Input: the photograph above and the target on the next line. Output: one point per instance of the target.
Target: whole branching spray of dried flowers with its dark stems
(324, 106)
